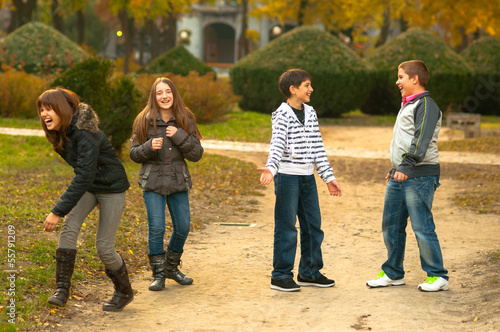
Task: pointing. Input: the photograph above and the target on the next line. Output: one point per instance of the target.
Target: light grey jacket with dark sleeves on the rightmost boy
(413, 148)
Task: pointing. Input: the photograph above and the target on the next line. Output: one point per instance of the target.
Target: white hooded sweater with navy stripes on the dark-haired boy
(296, 148)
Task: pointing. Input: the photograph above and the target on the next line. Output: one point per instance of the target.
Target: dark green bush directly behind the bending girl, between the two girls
(115, 100)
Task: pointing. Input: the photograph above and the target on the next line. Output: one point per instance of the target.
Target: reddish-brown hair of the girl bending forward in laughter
(65, 104)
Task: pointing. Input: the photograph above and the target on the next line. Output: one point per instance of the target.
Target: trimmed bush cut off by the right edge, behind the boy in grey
(483, 56)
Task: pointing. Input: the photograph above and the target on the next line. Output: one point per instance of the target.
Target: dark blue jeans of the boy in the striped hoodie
(297, 196)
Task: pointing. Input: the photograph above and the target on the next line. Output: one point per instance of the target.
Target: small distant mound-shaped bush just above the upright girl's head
(178, 61)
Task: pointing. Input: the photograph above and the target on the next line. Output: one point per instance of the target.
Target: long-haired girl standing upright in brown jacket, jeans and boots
(164, 135)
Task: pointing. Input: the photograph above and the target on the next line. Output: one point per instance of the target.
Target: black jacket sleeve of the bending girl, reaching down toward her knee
(87, 151)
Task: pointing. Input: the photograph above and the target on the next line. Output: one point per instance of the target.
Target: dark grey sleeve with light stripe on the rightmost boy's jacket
(426, 118)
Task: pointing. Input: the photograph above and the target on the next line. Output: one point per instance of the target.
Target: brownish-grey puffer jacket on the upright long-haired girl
(165, 171)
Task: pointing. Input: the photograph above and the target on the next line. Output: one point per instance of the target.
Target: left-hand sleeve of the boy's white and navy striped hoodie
(278, 140)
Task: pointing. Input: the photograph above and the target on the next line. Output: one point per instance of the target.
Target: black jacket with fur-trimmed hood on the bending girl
(89, 152)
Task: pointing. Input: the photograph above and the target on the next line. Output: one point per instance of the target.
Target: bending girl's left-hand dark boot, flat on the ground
(65, 265)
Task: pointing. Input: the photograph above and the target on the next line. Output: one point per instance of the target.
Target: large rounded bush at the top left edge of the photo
(40, 49)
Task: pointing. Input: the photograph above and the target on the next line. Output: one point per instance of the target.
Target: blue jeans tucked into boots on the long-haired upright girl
(178, 205)
